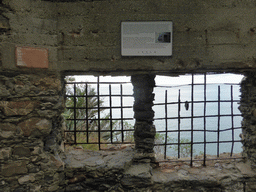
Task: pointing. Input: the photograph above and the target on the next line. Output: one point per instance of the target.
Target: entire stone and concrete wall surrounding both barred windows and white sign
(83, 37)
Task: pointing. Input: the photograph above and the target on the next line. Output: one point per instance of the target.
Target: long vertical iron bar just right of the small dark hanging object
(192, 120)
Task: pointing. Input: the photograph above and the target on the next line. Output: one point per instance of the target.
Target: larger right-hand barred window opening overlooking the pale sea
(197, 117)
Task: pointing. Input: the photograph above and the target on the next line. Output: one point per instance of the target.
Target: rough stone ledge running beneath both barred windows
(86, 167)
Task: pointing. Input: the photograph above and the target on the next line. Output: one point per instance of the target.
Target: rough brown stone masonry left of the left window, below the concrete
(31, 132)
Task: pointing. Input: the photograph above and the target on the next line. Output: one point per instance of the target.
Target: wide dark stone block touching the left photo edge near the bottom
(14, 168)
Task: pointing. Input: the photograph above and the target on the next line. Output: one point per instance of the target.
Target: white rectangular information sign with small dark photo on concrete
(150, 38)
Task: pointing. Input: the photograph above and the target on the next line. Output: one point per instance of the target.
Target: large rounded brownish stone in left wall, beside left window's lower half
(36, 127)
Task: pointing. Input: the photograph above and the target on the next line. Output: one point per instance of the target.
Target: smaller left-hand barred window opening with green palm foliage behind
(99, 112)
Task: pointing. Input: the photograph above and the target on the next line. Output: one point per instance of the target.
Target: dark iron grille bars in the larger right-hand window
(210, 138)
